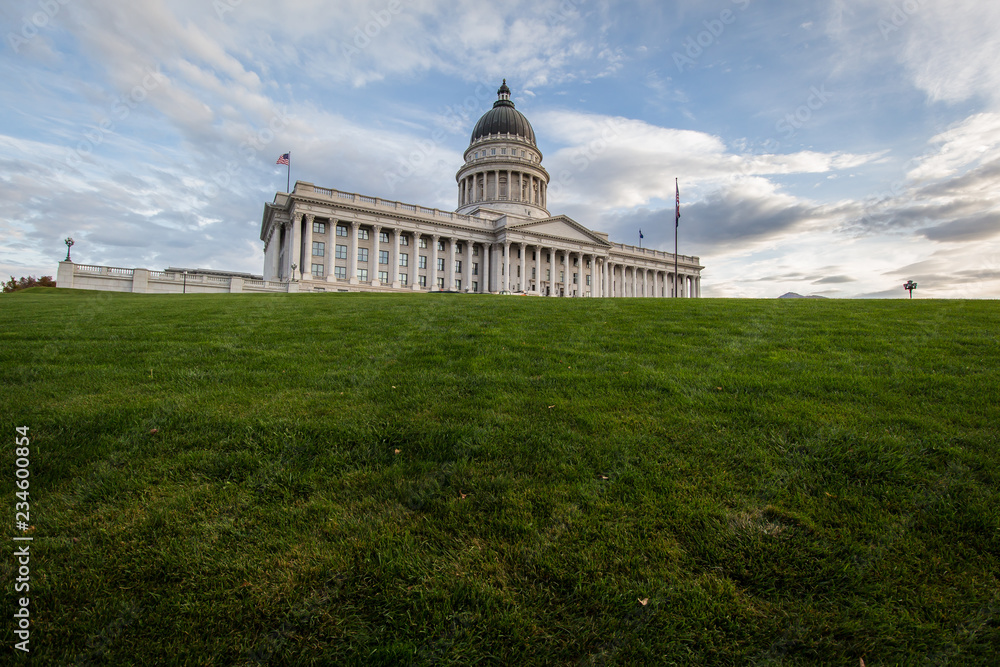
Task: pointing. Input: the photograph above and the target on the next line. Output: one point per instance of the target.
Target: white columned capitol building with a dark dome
(501, 238)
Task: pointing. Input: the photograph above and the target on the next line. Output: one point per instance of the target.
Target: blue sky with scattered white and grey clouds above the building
(834, 147)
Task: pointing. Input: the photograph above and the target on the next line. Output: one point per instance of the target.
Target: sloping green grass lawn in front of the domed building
(446, 479)
